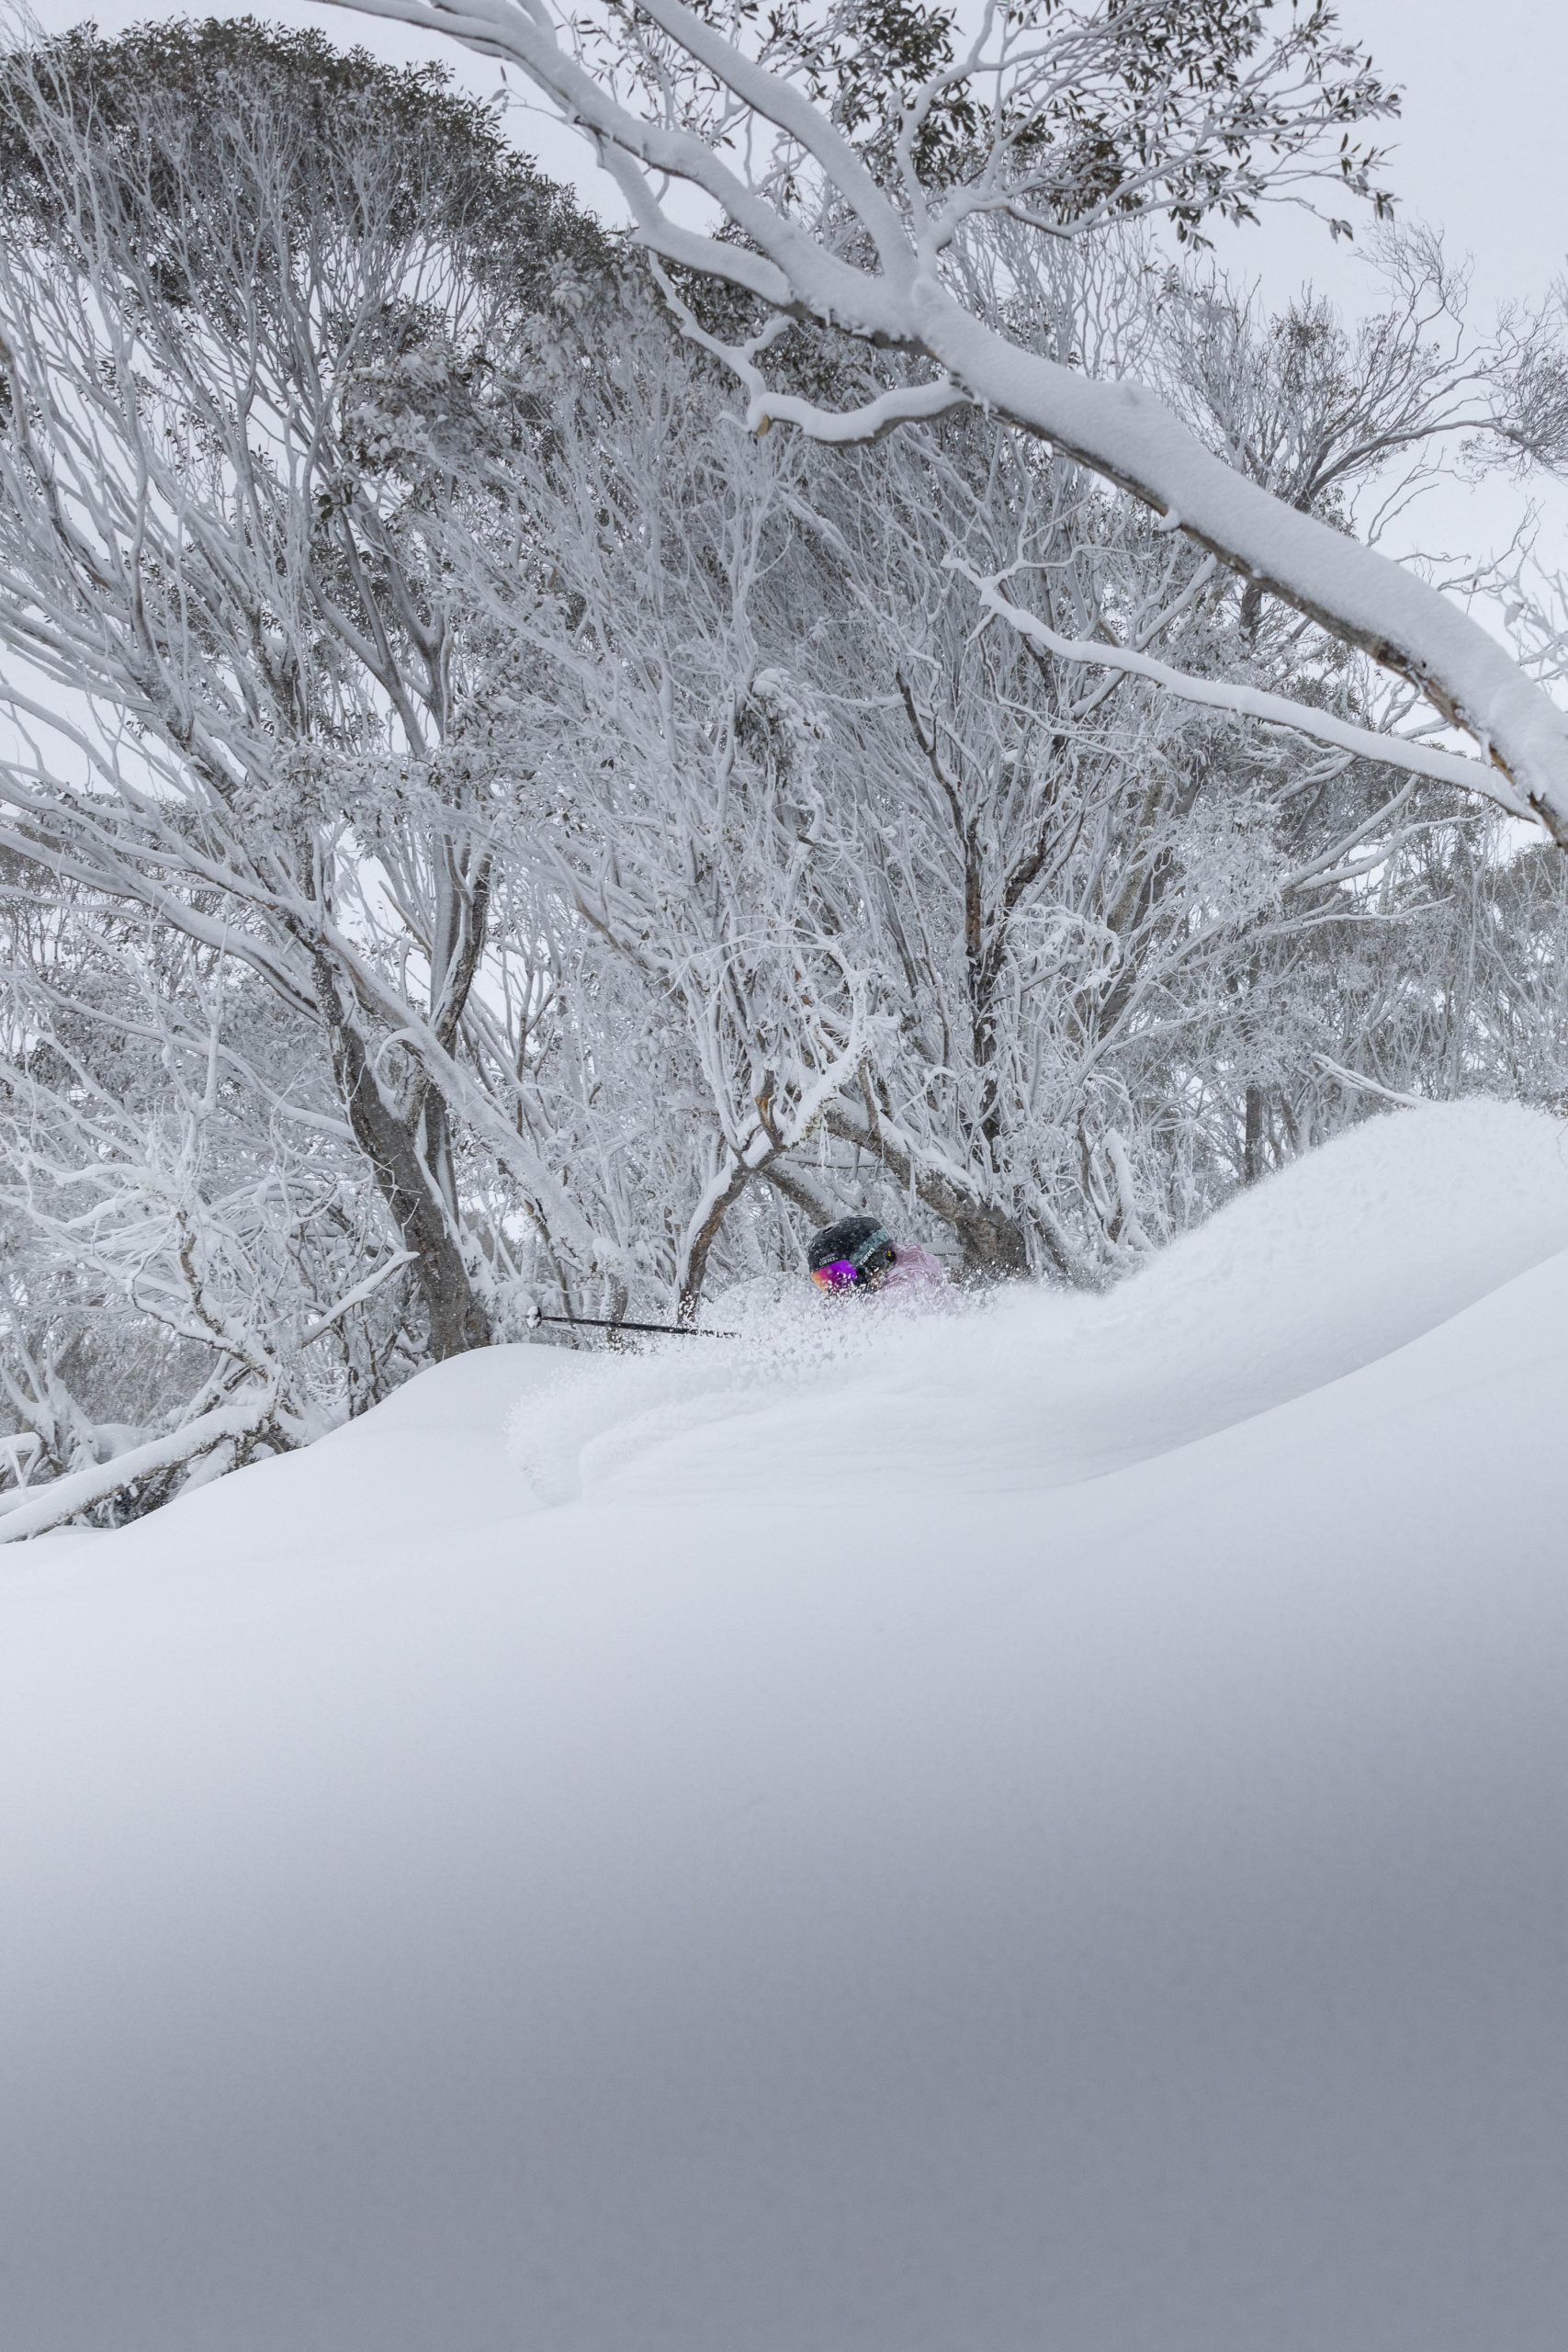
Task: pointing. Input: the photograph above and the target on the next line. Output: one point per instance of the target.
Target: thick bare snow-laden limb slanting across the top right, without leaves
(1118, 429)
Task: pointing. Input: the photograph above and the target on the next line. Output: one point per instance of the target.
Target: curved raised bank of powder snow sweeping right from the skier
(1341, 1259)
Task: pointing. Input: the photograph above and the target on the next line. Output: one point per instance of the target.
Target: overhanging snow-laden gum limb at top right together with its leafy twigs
(857, 163)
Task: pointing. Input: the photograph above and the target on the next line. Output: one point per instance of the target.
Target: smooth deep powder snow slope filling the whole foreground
(1036, 1831)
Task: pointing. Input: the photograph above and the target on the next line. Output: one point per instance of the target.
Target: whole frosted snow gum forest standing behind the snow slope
(535, 775)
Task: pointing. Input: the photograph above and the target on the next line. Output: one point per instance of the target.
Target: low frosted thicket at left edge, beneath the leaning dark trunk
(177, 1208)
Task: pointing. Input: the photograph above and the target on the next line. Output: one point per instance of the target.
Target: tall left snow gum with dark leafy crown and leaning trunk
(225, 253)
